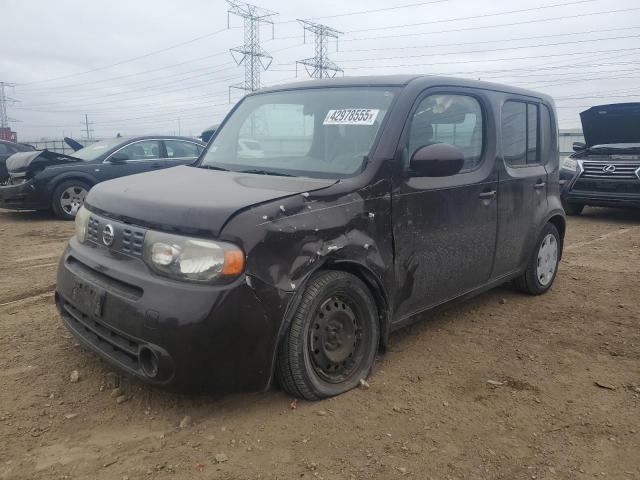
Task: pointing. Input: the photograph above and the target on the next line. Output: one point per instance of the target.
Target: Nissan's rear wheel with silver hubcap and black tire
(543, 266)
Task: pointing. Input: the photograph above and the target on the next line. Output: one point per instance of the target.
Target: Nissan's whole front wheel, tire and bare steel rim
(333, 338)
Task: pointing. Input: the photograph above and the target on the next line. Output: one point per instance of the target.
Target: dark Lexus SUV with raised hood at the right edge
(605, 170)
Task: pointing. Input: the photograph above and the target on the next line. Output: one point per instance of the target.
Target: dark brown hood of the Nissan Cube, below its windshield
(192, 200)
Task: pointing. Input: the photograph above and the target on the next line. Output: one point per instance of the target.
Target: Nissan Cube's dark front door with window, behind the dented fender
(445, 227)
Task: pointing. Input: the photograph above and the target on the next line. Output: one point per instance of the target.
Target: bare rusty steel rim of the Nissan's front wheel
(335, 340)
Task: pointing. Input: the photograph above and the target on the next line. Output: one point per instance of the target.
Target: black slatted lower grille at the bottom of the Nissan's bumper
(122, 349)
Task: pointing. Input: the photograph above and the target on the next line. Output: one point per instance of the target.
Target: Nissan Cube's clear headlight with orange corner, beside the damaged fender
(192, 259)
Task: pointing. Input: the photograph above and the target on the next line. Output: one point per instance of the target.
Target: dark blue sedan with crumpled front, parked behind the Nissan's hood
(45, 180)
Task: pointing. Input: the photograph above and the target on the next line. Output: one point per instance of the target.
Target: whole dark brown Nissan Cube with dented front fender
(321, 217)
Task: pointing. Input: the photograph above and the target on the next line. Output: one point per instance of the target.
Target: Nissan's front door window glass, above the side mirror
(452, 119)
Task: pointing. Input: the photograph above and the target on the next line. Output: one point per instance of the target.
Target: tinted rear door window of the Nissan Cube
(520, 133)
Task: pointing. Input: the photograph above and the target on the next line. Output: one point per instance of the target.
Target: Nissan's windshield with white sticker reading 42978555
(321, 133)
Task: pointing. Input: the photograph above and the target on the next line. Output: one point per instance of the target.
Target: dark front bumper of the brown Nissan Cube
(181, 336)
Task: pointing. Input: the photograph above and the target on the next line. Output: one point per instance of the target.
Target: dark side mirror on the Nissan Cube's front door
(436, 160)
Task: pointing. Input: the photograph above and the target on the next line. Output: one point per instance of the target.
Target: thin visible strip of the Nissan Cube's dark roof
(403, 80)
